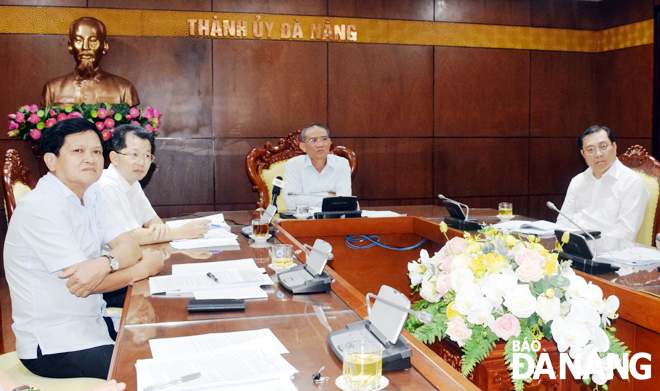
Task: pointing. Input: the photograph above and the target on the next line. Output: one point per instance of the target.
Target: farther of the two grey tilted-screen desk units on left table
(310, 277)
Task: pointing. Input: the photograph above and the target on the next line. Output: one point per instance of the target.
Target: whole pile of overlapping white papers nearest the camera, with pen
(245, 360)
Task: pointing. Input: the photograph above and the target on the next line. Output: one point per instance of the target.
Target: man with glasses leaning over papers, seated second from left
(131, 156)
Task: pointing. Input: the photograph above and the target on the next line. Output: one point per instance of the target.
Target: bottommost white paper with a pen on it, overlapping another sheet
(257, 360)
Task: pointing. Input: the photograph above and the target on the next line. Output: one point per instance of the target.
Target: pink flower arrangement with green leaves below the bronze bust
(31, 121)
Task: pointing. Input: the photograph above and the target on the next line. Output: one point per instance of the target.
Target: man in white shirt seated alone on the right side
(607, 197)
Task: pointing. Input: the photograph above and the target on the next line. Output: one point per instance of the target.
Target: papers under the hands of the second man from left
(219, 235)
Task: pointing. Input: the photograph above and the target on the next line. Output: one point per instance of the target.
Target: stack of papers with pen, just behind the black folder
(242, 276)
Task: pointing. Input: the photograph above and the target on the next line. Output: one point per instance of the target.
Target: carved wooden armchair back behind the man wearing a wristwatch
(18, 181)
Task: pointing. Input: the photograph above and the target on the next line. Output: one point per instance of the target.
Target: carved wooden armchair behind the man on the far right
(648, 169)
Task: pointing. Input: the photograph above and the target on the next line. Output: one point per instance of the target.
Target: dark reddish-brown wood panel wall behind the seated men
(480, 125)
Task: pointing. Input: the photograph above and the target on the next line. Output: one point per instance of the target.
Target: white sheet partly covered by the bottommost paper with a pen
(172, 347)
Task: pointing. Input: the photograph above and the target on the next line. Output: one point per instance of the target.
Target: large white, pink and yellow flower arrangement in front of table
(493, 286)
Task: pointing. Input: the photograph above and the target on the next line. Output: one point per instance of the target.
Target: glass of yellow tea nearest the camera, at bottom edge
(363, 365)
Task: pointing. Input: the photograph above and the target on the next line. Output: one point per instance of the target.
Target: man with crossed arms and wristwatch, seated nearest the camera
(54, 265)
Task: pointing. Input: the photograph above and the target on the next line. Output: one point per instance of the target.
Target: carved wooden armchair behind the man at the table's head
(263, 164)
